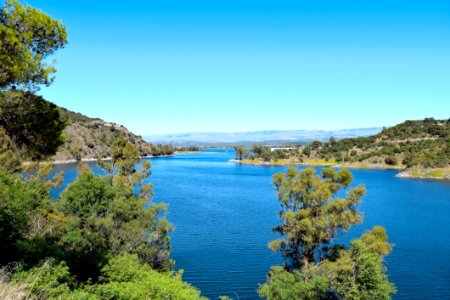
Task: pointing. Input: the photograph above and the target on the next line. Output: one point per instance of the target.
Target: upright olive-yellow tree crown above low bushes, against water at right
(310, 215)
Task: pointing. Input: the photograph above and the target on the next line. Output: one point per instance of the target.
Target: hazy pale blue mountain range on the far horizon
(265, 137)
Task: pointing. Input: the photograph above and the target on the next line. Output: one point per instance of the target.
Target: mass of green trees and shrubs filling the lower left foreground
(102, 239)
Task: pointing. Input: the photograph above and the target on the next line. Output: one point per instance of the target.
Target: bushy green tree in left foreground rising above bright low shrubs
(112, 214)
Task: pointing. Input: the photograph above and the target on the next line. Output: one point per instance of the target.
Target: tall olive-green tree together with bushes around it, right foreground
(315, 267)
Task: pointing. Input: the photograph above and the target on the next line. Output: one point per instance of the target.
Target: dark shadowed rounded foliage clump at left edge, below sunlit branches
(33, 124)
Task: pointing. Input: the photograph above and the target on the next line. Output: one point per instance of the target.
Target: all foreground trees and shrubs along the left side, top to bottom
(103, 238)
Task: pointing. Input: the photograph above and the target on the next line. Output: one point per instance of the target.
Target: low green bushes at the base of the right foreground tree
(357, 274)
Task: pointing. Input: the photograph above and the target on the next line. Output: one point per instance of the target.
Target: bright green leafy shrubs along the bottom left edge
(123, 277)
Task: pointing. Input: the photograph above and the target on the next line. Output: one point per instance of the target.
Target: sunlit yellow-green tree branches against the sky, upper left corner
(27, 38)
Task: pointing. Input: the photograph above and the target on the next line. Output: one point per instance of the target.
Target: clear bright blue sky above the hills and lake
(166, 66)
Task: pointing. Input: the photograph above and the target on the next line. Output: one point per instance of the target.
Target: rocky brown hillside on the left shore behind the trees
(89, 138)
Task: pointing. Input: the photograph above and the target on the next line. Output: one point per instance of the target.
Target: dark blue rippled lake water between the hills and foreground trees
(224, 214)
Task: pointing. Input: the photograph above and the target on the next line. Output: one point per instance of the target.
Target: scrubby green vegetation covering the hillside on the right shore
(413, 143)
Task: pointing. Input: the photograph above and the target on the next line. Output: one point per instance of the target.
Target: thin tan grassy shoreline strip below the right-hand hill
(431, 174)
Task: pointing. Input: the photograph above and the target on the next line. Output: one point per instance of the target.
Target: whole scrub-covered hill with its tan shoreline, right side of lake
(420, 148)
